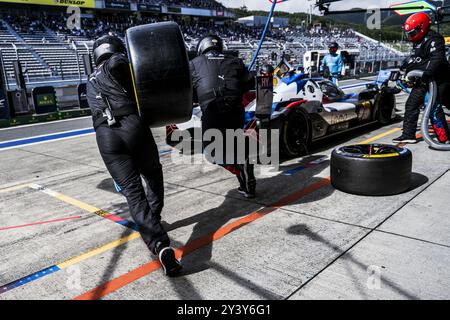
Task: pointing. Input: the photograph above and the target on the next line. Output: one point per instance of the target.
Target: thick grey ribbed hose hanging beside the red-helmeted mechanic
(430, 109)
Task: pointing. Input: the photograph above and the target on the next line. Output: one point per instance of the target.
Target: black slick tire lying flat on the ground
(371, 170)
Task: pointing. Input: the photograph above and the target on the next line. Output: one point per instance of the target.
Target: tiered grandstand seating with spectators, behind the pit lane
(48, 49)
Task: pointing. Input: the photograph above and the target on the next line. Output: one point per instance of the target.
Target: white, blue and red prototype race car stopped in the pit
(306, 109)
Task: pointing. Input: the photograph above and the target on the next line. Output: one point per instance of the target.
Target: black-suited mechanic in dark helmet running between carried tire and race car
(220, 82)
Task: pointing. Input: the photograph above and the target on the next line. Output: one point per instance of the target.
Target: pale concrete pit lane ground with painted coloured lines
(299, 239)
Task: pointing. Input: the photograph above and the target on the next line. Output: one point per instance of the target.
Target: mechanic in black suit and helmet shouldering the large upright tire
(127, 146)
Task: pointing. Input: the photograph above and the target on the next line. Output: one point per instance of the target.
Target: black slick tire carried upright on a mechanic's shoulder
(161, 75)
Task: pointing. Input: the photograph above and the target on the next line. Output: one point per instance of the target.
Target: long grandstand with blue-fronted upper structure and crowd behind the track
(51, 53)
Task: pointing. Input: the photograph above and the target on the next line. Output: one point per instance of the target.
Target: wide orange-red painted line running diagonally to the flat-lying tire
(117, 283)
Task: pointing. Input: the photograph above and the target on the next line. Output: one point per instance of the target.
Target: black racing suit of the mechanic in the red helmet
(428, 56)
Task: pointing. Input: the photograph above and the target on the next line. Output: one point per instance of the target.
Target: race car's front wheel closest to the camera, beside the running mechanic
(295, 135)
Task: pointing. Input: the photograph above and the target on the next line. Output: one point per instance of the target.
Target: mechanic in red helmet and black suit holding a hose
(428, 56)
